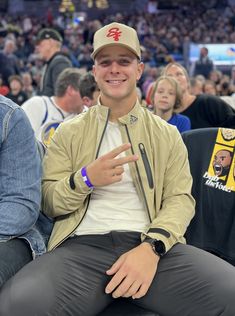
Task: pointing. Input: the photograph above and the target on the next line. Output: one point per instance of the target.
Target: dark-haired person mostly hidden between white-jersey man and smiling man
(89, 89)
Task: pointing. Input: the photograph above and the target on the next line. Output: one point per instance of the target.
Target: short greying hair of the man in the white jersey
(68, 77)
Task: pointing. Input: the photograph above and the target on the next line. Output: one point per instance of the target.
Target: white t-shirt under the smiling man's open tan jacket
(116, 206)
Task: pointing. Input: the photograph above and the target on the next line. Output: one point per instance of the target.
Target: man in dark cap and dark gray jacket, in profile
(48, 46)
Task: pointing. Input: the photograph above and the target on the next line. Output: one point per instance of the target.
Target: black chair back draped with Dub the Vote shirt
(211, 158)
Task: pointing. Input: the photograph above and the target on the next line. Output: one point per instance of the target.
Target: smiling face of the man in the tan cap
(116, 72)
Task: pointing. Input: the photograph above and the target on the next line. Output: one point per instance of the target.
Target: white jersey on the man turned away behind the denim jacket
(45, 116)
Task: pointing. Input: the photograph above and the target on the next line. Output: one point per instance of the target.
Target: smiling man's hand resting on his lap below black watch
(133, 272)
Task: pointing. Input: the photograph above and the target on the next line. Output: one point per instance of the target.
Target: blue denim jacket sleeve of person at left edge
(20, 172)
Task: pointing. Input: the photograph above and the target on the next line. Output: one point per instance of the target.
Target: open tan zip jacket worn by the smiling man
(161, 174)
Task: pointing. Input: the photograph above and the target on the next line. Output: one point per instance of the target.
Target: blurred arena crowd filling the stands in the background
(168, 31)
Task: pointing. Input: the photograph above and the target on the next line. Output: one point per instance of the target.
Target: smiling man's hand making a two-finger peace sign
(108, 169)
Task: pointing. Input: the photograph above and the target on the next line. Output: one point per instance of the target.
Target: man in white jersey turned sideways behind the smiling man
(46, 113)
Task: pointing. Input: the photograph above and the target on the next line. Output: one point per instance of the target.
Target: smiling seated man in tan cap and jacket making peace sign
(117, 182)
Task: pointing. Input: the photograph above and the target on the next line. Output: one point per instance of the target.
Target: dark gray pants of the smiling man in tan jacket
(70, 281)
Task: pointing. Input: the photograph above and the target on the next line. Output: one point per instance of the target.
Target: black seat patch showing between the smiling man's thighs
(122, 307)
